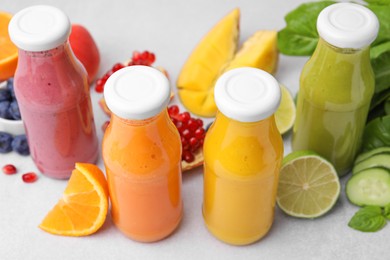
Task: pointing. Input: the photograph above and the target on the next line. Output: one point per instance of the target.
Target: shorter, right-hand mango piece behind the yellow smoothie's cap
(259, 51)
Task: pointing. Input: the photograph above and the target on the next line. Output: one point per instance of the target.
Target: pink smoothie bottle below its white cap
(53, 95)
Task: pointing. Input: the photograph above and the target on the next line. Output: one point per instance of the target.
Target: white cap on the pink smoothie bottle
(39, 28)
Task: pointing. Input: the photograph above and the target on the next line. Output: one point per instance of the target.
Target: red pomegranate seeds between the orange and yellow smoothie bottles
(191, 132)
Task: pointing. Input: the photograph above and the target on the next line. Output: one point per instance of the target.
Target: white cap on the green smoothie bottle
(347, 25)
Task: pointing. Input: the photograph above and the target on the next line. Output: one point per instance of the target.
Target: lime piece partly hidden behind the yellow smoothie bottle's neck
(285, 114)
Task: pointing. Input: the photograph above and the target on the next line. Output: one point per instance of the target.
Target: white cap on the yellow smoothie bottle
(247, 94)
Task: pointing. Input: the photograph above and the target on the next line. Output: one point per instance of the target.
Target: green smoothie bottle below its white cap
(336, 87)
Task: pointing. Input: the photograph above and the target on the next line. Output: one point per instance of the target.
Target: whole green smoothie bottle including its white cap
(336, 86)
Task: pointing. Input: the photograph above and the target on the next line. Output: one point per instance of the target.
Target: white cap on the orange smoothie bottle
(137, 92)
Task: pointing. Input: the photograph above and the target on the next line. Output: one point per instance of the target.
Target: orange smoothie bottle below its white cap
(143, 166)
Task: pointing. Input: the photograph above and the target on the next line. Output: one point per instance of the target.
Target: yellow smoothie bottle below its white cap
(241, 169)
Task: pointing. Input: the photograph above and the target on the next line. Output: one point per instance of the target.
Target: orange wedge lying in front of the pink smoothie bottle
(83, 207)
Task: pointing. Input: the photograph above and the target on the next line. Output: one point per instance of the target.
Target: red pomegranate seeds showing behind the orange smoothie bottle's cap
(139, 58)
